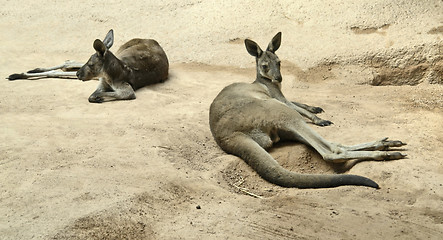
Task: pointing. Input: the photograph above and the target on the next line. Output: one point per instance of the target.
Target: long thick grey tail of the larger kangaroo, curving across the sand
(270, 170)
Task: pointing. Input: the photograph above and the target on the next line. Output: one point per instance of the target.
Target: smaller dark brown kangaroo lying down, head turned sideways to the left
(138, 63)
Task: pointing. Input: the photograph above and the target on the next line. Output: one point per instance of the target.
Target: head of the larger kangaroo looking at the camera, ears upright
(268, 64)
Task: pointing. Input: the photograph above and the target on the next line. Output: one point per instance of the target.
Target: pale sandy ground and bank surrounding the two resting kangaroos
(149, 168)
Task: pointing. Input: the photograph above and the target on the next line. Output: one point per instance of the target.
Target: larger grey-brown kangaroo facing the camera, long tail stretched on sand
(247, 118)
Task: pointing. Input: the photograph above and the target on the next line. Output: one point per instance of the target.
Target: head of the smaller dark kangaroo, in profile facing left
(94, 67)
